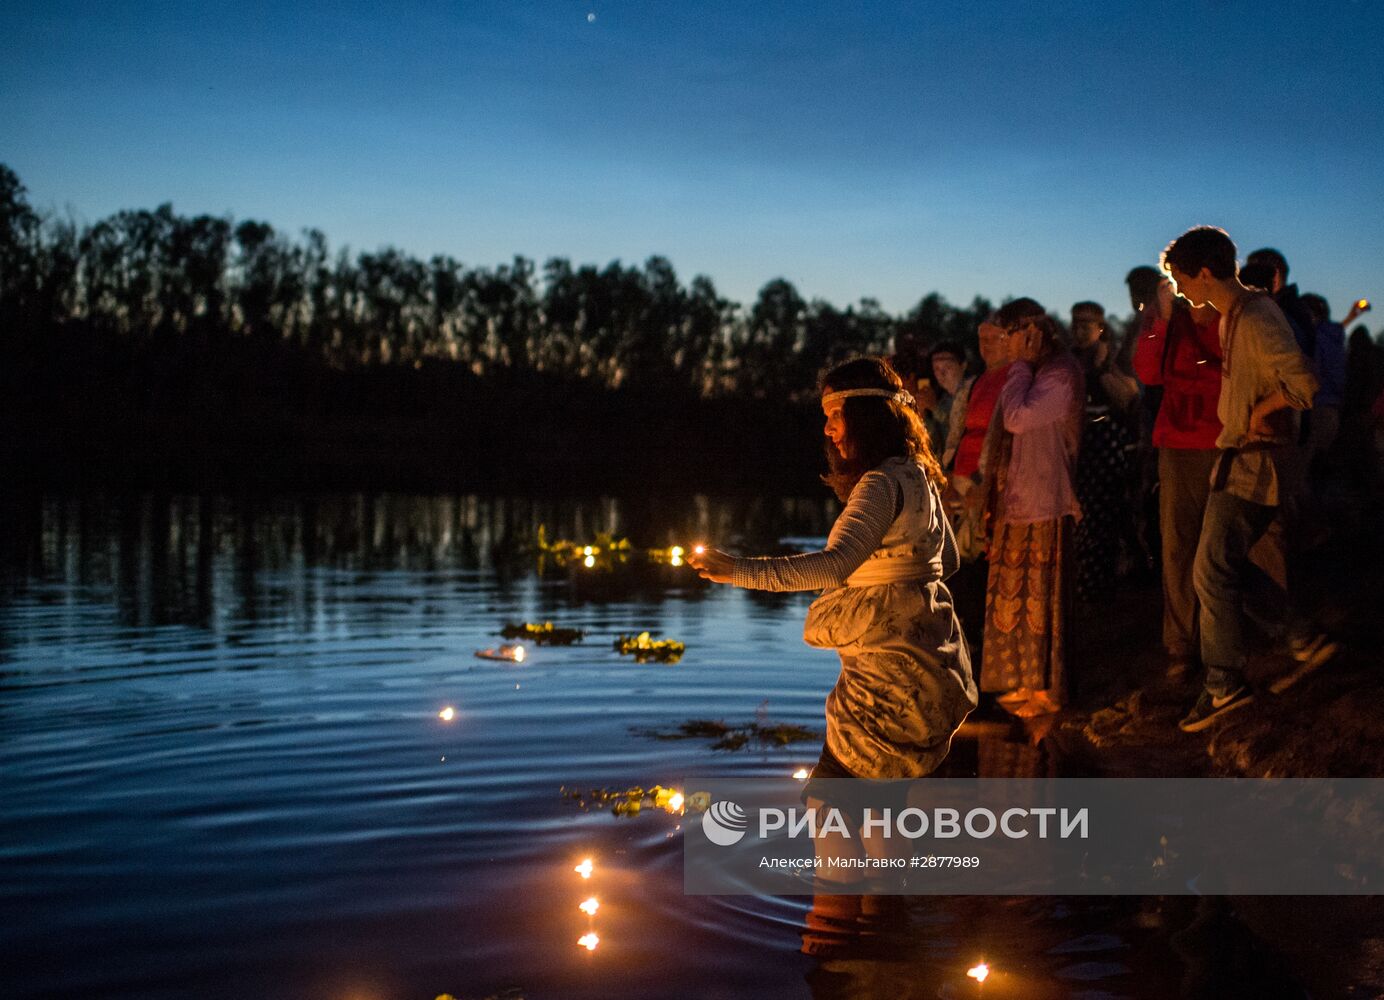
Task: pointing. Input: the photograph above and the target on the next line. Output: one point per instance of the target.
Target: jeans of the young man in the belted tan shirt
(1221, 576)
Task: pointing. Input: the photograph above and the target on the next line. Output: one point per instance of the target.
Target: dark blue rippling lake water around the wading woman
(226, 775)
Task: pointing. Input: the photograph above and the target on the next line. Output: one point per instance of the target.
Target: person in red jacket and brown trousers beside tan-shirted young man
(1180, 349)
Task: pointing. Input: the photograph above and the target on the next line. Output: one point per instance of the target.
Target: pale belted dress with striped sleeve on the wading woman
(906, 684)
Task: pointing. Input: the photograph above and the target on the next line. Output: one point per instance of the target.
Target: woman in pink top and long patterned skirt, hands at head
(1032, 511)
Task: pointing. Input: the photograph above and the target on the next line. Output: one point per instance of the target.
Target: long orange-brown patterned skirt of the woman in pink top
(1028, 601)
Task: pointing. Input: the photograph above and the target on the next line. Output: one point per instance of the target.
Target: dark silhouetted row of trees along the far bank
(160, 351)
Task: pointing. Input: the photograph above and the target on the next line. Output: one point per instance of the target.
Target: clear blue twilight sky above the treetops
(857, 150)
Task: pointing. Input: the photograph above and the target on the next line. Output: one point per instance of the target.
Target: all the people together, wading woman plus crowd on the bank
(1015, 496)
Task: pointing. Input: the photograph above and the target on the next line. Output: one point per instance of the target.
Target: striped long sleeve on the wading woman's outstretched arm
(870, 511)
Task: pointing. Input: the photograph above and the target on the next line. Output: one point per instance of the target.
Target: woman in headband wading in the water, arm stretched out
(906, 683)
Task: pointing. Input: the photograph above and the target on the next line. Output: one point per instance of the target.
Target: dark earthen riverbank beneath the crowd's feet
(1329, 724)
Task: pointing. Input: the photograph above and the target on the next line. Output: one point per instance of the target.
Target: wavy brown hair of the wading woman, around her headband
(878, 428)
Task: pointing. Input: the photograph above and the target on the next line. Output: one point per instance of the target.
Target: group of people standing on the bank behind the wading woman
(1073, 461)
